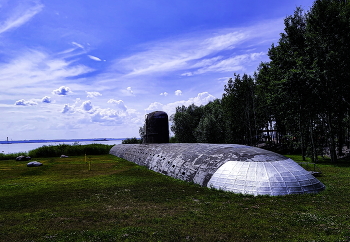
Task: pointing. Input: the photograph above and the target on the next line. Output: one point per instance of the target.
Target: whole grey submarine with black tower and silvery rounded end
(229, 167)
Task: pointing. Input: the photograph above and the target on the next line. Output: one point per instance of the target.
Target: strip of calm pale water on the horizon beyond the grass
(25, 147)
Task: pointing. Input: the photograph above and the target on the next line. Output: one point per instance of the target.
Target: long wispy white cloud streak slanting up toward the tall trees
(206, 52)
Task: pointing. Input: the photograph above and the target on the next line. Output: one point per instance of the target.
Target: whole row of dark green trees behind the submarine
(299, 100)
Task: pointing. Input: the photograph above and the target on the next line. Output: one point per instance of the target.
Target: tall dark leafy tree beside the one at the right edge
(283, 82)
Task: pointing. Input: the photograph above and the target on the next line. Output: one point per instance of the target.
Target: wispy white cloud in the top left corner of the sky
(20, 15)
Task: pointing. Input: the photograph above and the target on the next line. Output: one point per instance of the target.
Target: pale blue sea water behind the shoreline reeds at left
(23, 146)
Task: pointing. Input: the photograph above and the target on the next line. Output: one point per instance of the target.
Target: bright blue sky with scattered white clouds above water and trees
(88, 68)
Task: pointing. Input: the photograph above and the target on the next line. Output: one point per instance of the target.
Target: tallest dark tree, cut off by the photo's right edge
(328, 39)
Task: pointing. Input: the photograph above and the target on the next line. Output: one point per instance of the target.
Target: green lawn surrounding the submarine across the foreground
(120, 201)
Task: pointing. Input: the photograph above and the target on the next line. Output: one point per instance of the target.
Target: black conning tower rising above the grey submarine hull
(156, 128)
